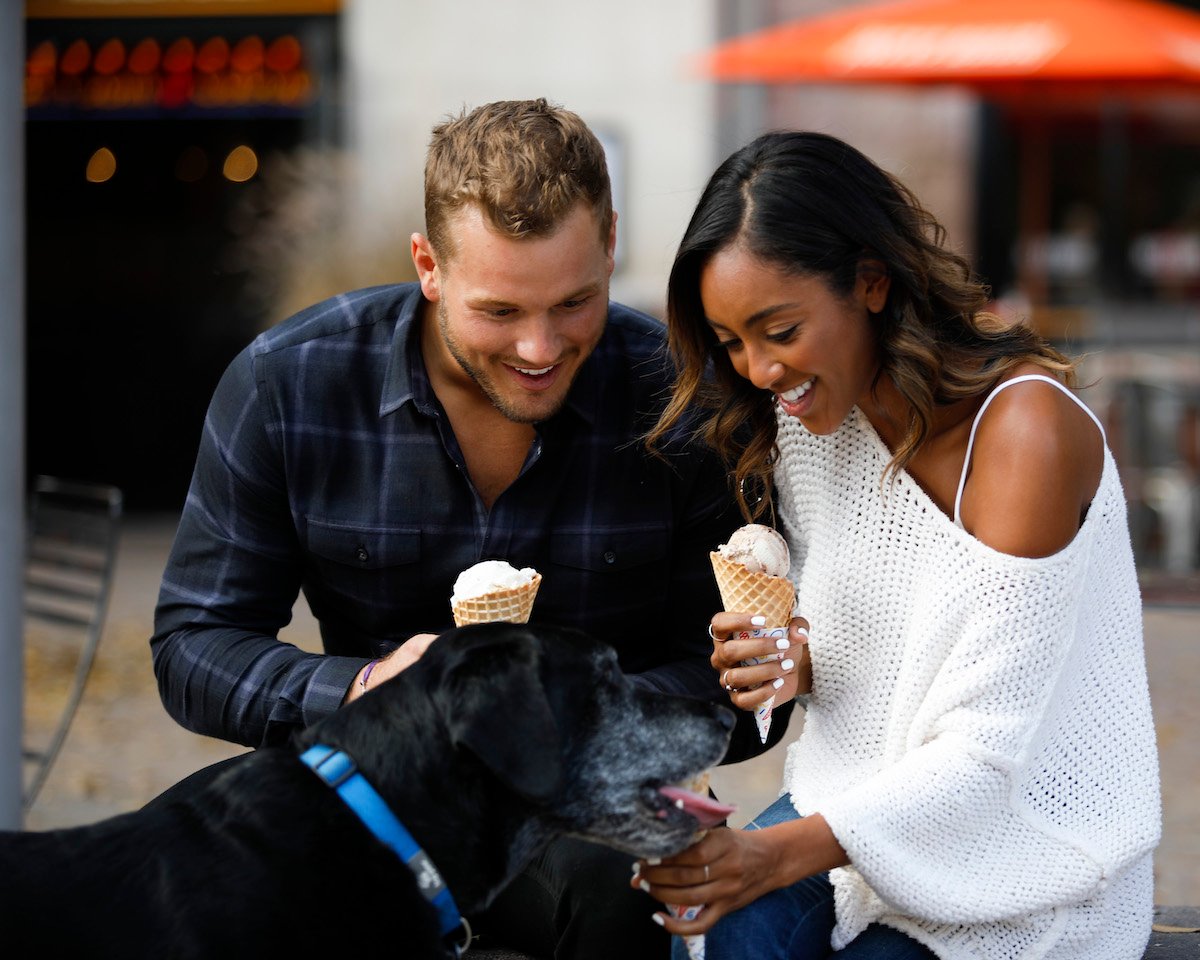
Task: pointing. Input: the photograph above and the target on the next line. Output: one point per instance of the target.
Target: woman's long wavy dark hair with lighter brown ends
(813, 206)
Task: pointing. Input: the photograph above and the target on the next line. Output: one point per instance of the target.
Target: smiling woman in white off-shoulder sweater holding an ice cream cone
(977, 773)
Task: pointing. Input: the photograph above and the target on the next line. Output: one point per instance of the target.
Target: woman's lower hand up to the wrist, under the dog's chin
(724, 872)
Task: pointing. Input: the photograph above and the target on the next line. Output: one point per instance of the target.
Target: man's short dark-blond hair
(526, 164)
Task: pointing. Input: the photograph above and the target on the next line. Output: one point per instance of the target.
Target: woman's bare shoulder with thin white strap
(1035, 467)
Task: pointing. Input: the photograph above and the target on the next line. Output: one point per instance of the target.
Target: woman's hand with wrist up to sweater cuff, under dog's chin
(728, 869)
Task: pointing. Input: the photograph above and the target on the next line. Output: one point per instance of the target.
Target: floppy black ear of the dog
(500, 712)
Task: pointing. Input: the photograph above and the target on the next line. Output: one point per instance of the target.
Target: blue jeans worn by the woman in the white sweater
(795, 923)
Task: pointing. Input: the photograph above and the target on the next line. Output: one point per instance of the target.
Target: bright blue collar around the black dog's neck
(339, 771)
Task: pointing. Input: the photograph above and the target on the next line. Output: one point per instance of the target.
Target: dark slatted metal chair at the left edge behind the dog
(71, 551)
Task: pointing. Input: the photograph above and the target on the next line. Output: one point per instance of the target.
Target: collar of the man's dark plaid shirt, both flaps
(407, 380)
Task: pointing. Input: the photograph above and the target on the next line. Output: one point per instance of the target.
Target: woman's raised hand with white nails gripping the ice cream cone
(784, 670)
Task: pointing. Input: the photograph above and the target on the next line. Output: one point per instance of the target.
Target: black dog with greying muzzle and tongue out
(499, 740)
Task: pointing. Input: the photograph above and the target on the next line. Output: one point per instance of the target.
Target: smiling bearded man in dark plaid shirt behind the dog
(373, 447)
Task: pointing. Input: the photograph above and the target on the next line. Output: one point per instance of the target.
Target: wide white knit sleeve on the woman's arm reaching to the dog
(958, 824)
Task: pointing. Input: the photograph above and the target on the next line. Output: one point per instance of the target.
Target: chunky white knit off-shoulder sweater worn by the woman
(979, 736)
